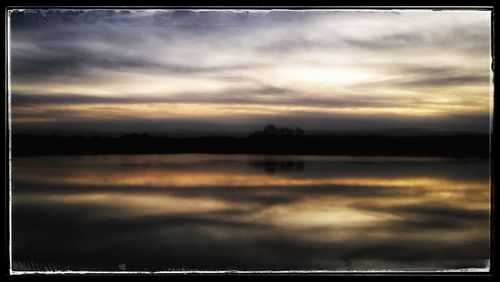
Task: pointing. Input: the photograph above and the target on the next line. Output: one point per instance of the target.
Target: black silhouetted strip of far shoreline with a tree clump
(271, 140)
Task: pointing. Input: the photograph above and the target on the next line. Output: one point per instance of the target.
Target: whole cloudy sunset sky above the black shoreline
(238, 70)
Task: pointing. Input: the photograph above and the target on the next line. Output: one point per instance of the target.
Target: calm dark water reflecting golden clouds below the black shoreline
(230, 212)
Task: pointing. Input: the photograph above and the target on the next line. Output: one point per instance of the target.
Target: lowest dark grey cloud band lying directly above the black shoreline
(120, 122)
